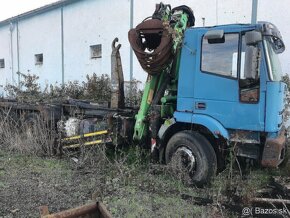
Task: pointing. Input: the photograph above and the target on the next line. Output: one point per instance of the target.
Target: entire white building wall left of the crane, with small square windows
(85, 23)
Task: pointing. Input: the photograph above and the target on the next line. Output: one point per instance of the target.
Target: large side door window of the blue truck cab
(221, 57)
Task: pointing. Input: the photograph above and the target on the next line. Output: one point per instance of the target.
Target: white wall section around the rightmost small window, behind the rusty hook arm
(92, 23)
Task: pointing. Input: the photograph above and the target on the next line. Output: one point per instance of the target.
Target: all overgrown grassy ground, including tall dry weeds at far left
(124, 179)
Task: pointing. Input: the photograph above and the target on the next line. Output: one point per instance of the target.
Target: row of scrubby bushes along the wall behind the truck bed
(95, 88)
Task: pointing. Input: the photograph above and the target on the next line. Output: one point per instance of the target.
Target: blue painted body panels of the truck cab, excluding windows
(223, 111)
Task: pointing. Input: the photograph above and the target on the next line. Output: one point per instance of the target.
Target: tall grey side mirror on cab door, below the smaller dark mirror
(252, 62)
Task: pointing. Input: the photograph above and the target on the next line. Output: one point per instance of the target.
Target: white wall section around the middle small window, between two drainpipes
(40, 35)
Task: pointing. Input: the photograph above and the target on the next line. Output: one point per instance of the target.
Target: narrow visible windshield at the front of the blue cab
(272, 59)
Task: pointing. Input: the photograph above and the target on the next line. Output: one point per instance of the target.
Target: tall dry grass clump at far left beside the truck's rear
(33, 136)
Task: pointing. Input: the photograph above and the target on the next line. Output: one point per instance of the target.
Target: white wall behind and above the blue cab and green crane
(217, 12)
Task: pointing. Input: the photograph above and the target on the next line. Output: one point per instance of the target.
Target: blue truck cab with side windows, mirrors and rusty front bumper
(230, 91)
